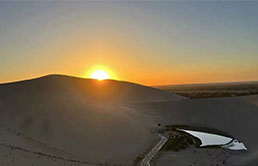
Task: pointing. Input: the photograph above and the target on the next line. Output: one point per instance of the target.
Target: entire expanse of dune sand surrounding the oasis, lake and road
(63, 120)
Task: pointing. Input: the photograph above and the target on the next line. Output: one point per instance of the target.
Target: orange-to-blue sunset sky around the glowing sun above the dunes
(147, 42)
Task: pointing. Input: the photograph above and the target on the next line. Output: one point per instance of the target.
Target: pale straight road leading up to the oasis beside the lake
(154, 151)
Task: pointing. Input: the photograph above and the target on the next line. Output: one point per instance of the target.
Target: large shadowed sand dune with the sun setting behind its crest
(88, 118)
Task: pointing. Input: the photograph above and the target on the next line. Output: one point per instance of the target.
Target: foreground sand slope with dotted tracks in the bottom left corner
(17, 148)
